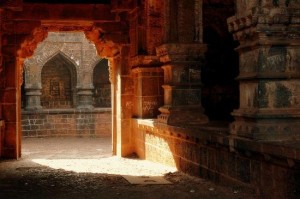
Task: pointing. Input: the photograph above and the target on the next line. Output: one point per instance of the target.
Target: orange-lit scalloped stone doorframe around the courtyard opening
(116, 53)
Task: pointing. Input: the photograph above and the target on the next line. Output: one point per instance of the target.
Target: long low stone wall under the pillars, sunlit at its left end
(272, 170)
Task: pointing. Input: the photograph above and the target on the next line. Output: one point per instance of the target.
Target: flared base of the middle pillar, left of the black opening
(182, 116)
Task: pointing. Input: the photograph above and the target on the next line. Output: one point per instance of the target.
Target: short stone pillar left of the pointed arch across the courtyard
(33, 97)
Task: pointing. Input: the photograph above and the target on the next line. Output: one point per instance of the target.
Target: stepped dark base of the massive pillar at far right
(273, 125)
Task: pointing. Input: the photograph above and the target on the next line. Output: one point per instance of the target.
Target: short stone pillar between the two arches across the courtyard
(85, 97)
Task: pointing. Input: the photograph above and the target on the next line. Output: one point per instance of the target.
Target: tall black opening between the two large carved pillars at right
(220, 92)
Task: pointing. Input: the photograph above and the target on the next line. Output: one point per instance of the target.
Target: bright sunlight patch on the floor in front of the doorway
(112, 165)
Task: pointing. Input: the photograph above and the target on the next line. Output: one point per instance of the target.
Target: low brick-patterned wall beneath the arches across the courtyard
(66, 122)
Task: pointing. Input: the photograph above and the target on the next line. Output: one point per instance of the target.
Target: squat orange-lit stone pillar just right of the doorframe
(147, 78)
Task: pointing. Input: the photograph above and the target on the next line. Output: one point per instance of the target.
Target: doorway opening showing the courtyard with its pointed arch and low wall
(58, 99)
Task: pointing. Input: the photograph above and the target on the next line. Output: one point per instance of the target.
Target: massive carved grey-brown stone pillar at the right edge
(269, 74)
